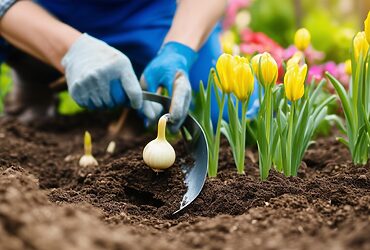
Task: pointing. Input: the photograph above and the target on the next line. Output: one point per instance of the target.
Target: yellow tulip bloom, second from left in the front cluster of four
(244, 81)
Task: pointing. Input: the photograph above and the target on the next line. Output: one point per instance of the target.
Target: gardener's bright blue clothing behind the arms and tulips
(135, 27)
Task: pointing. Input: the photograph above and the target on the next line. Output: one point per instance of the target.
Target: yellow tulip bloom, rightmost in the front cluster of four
(294, 82)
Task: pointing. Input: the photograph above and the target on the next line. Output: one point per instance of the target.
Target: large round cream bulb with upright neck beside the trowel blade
(159, 154)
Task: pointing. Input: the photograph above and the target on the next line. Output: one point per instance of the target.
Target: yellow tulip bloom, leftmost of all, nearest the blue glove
(225, 69)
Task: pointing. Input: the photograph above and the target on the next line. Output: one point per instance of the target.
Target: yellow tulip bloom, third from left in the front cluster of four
(268, 73)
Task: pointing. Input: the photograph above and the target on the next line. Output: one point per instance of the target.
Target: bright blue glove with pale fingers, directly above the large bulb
(170, 69)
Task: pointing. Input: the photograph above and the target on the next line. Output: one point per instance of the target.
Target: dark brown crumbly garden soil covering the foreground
(48, 202)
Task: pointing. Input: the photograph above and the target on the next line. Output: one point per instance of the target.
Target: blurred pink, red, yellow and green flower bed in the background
(256, 26)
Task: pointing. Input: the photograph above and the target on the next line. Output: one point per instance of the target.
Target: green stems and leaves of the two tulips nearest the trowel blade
(235, 130)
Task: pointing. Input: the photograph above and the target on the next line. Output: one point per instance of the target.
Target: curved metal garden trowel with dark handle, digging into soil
(196, 171)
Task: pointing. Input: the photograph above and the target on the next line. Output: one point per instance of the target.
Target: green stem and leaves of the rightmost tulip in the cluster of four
(296, 123)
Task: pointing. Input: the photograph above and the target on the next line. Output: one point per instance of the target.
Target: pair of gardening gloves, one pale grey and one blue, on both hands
(100, 76)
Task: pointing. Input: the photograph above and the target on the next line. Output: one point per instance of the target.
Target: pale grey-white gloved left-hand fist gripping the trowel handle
(100, 76)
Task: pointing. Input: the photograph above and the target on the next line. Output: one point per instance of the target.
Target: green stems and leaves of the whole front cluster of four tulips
(283, 130)
